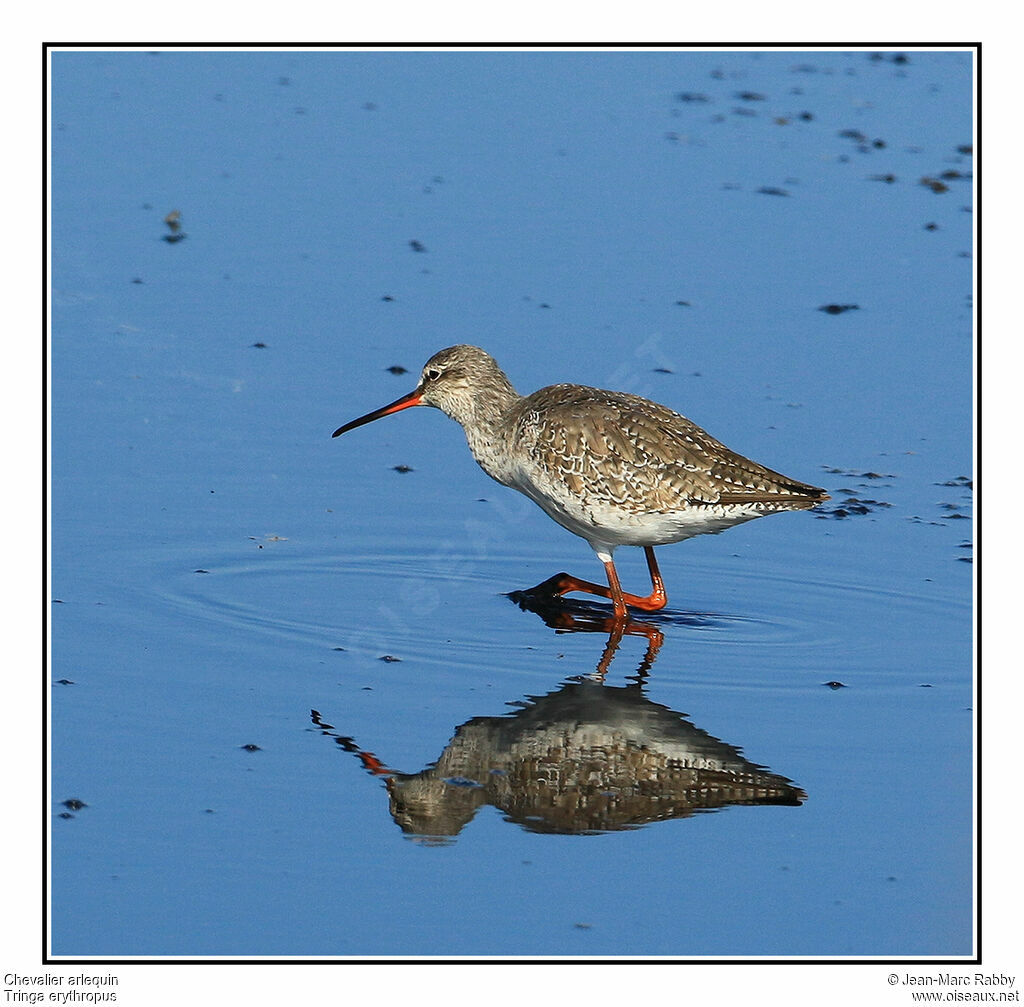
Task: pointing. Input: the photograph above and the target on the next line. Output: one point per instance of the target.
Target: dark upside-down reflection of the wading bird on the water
(587, 759)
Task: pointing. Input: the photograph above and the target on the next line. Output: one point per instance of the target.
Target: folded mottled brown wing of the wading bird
(638, 454)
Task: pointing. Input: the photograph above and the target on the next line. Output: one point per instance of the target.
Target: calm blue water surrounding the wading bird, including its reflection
(474, 780)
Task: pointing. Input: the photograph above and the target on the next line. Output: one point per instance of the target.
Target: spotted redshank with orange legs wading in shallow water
(614, 469)
